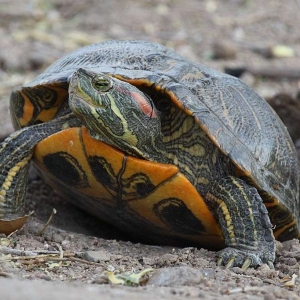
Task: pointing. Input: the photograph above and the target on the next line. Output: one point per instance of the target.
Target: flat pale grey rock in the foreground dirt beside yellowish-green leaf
(179, 276)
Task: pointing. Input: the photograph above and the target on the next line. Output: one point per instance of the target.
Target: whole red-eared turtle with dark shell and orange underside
(164, 148)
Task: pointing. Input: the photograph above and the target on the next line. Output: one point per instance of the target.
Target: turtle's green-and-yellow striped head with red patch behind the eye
(116, 112)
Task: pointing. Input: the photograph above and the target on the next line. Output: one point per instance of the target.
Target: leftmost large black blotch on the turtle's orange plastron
(66, 168)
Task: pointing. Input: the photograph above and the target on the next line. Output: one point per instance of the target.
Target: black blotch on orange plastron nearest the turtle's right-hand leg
(174, 213)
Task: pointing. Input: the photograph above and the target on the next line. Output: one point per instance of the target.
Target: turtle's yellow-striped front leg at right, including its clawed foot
(244, 221)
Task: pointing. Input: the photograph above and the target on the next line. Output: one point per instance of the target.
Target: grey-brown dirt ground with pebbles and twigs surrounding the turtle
(240, 36)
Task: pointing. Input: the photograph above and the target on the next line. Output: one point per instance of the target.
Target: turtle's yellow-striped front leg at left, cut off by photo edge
(15, 155)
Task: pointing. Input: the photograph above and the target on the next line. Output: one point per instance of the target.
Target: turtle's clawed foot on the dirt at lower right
(232, 257)
